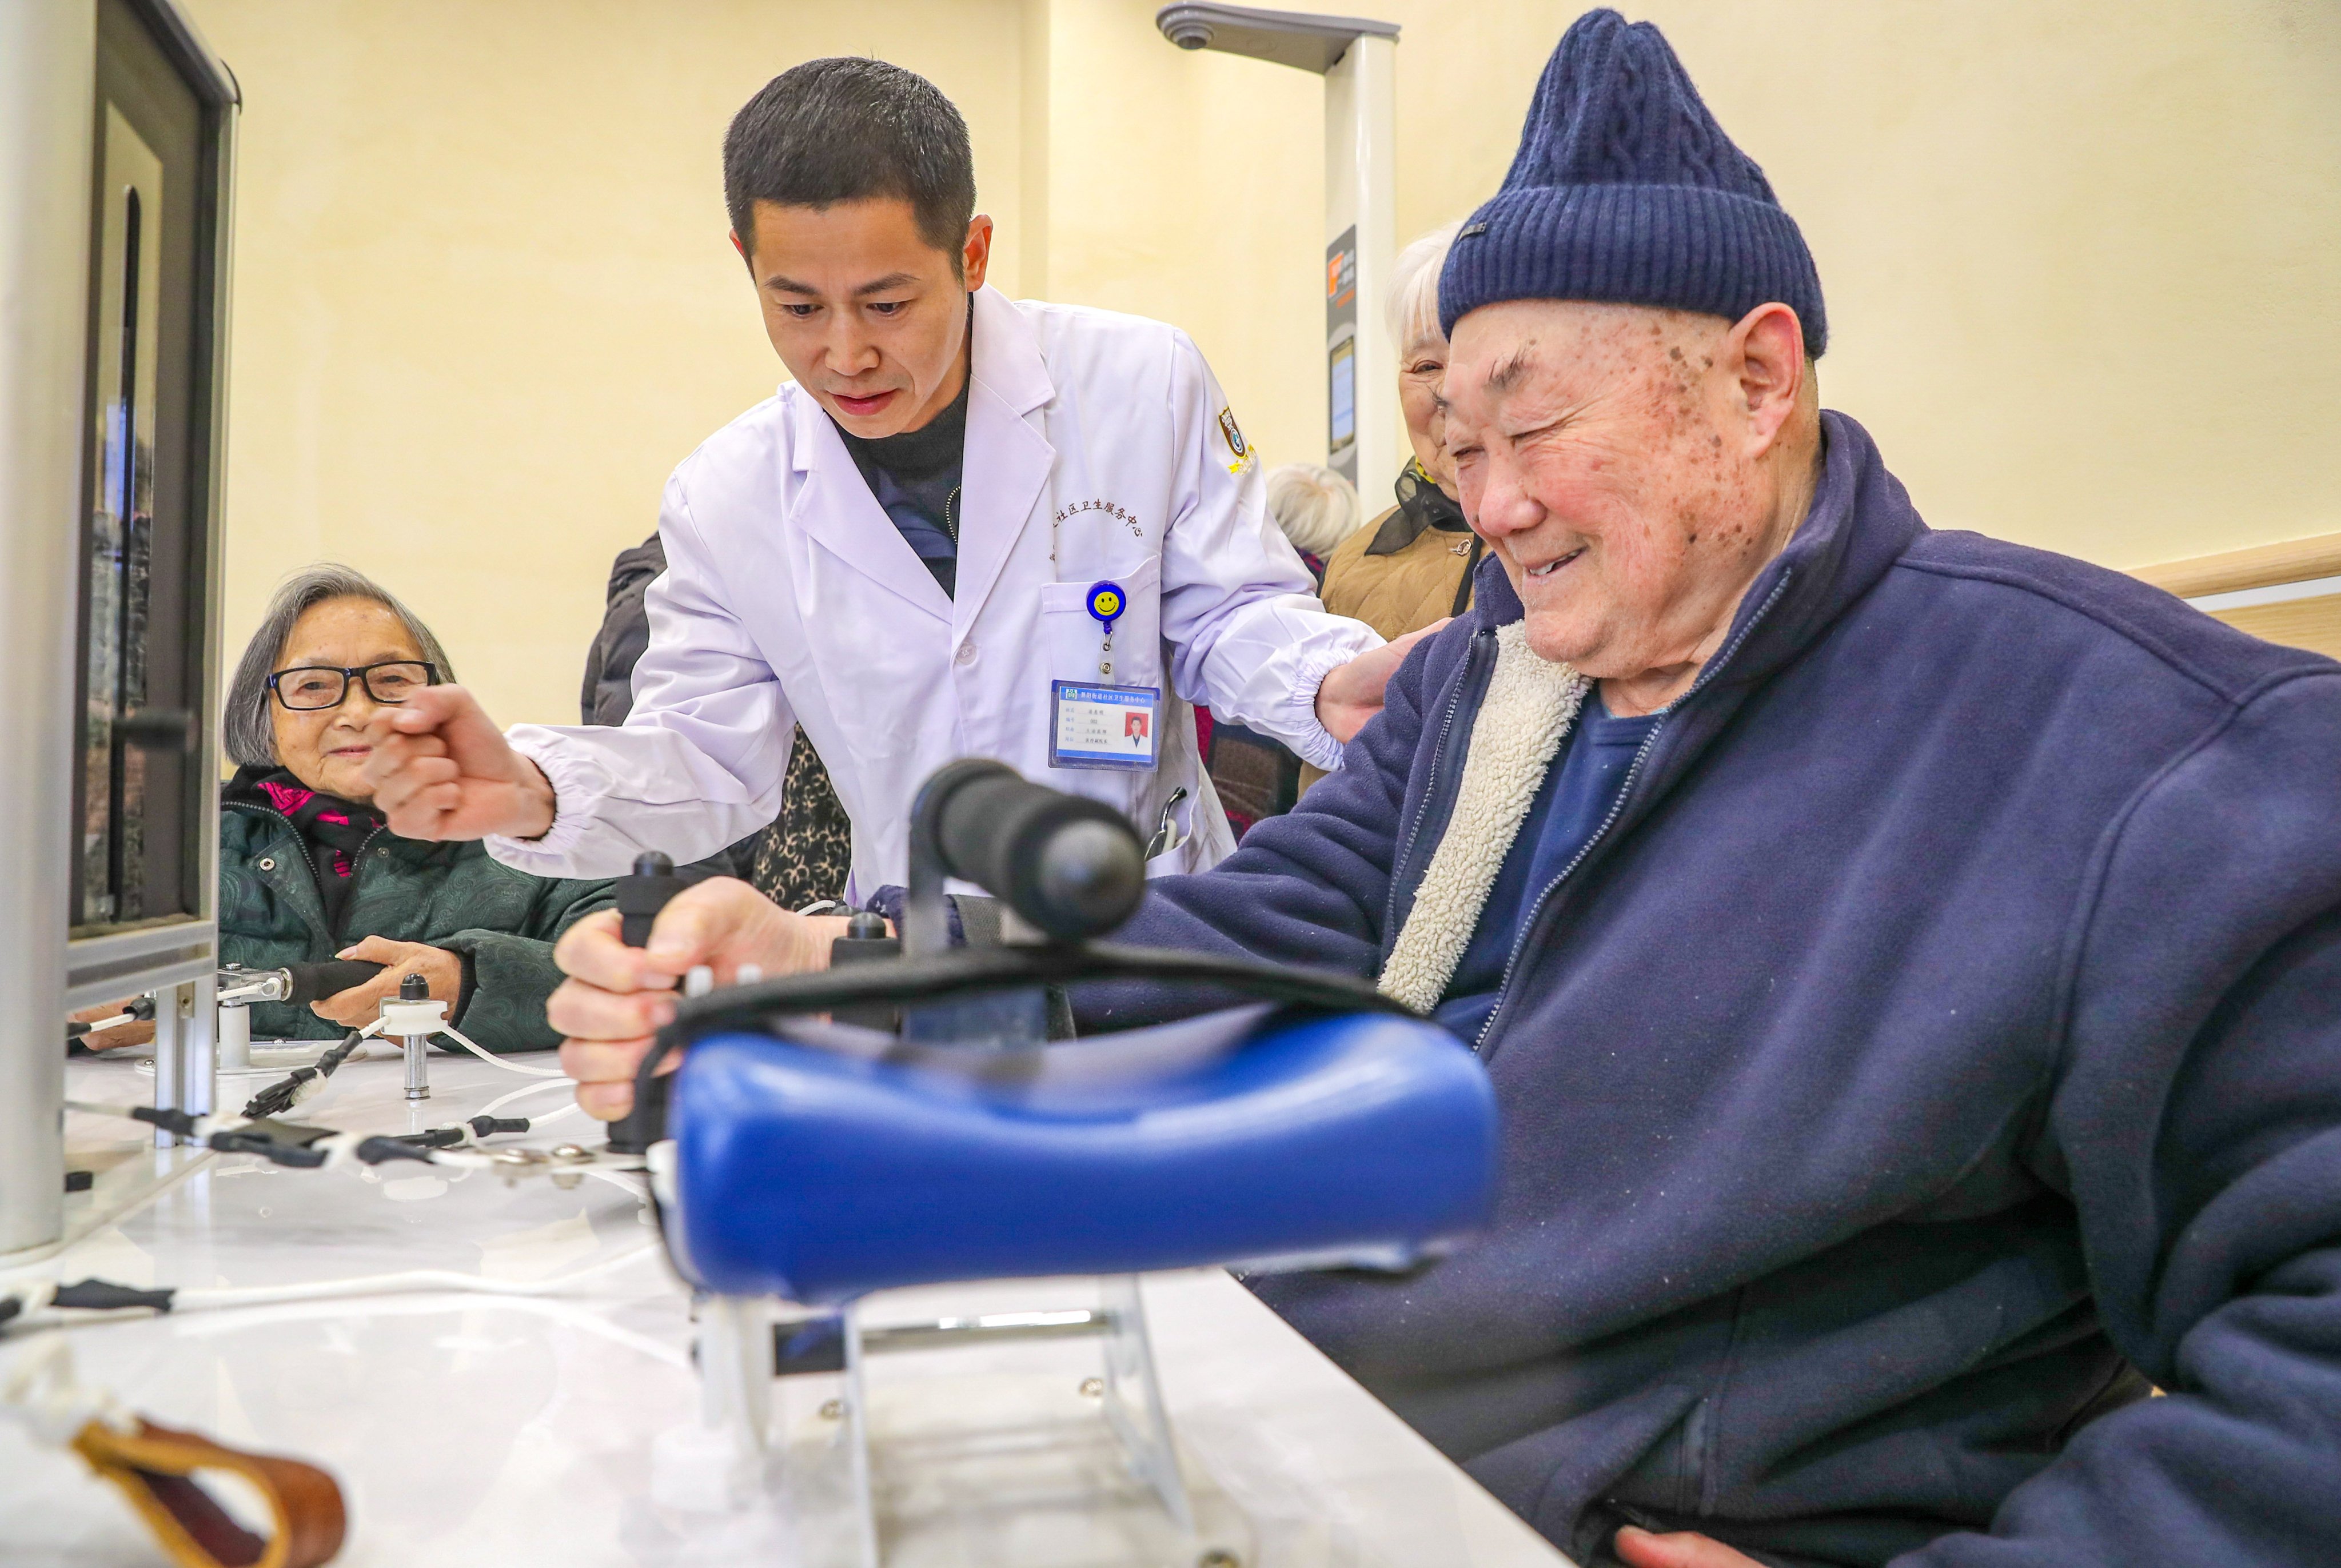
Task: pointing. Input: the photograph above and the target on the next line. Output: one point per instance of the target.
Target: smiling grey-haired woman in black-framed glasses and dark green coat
(308, 872)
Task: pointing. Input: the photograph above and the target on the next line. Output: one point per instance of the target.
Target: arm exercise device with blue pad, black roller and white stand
(809, 1164)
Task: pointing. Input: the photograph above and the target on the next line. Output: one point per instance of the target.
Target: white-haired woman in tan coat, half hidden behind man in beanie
(1410, 568)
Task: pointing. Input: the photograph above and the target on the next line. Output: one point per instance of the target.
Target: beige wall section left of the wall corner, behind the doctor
(486, 296)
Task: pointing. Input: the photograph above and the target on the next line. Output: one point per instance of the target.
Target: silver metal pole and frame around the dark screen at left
(48, 114)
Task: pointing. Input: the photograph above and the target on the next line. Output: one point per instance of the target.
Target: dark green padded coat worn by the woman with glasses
(453, 898)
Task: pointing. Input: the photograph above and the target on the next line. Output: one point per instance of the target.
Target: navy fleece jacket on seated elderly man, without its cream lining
(1944, 1033)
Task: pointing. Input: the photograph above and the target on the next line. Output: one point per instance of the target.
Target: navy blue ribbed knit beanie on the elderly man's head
(1626, 191)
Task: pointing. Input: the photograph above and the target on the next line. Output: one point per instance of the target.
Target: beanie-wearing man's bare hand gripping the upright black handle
(617, 998)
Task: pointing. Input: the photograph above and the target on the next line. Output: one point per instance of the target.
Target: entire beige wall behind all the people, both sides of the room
(2080, 259)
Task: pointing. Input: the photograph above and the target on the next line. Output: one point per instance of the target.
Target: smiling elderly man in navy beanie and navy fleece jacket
(1909, 963)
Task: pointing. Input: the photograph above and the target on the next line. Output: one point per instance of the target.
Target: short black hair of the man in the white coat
(846, 130)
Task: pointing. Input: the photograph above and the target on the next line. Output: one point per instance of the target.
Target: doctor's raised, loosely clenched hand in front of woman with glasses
(441, 769)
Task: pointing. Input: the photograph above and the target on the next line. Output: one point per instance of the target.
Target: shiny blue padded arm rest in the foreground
(823, 1174)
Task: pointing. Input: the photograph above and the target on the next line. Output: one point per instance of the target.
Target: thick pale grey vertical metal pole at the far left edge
(48, 85)
